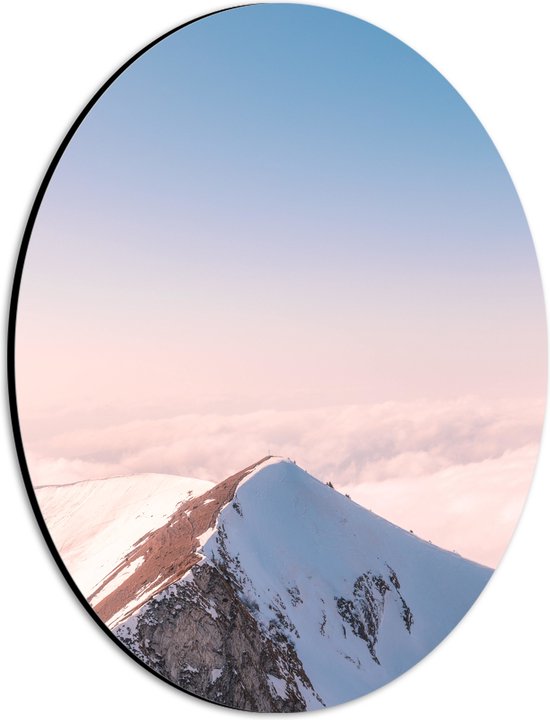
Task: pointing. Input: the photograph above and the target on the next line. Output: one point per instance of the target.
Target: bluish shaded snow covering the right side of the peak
(303, 545)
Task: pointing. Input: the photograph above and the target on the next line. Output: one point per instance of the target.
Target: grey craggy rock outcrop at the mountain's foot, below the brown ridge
(200, 636)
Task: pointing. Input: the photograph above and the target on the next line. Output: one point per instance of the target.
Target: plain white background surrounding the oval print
(57, 663)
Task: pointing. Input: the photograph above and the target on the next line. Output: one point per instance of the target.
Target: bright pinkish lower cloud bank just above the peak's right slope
(471, 508)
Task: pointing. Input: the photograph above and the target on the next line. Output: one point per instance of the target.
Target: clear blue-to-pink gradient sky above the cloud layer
(280, 196)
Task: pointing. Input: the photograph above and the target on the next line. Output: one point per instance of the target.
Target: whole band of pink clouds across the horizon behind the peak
(445, 469)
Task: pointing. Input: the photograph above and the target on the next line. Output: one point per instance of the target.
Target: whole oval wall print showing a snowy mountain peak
(277, 358)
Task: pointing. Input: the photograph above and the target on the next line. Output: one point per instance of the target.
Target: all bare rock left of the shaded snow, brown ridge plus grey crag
(198, 633)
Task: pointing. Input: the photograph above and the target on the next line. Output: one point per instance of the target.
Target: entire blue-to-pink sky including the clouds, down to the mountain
(280, 229)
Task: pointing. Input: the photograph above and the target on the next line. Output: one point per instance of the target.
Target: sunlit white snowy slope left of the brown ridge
(94, 523)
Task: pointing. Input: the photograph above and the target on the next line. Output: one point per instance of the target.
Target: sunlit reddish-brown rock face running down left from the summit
(168, 552)
